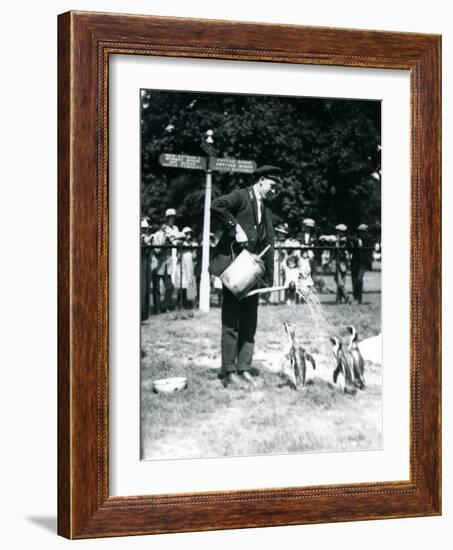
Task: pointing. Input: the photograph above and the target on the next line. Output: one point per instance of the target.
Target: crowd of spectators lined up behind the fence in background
(171, 264)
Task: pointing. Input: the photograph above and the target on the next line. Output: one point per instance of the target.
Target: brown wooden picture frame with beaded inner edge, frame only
(85, 41)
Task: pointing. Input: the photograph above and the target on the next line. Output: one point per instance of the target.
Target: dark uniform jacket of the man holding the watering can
(239, 206)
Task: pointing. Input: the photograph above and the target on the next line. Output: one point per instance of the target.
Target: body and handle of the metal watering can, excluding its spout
(244, 272)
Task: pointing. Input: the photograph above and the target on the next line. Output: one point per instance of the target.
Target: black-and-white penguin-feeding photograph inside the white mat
(260, 238)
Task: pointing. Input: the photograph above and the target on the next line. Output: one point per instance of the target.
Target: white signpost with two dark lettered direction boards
(208, 164)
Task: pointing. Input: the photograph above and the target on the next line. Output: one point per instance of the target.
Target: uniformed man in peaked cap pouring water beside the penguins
(246, 219)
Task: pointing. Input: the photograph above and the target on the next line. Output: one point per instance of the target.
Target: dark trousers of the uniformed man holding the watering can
(239, 320)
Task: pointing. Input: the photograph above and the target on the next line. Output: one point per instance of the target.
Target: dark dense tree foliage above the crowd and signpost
(329, 150)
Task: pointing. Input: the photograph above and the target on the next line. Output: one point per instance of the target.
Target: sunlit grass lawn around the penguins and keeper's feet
(207, 420)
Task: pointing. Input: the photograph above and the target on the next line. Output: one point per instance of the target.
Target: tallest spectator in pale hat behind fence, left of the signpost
(165, 269)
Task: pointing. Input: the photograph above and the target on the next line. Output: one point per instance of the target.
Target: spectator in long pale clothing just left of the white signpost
(185, 270)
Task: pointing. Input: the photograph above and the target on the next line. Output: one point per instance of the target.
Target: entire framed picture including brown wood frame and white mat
(249, 275)
